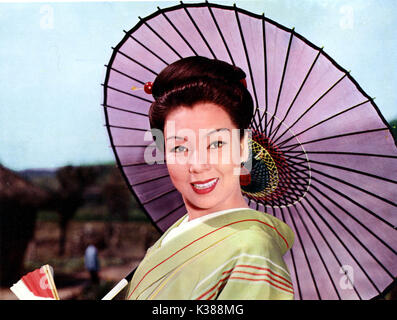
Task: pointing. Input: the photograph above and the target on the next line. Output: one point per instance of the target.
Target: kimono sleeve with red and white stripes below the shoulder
(257, 272)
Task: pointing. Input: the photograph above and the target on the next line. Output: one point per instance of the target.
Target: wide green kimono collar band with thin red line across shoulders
(160, 260)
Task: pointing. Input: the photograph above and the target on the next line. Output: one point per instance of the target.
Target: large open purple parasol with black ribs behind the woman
(323, 157)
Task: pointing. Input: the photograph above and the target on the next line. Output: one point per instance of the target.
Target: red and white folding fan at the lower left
(36, 285)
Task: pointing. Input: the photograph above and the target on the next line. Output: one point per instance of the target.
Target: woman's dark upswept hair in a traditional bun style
(191, 80)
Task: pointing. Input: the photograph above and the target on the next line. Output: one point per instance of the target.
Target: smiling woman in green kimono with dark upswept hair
(221, 249)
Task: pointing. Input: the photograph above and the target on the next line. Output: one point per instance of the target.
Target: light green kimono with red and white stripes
(237, 255)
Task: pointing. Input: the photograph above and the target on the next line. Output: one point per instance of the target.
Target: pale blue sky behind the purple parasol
(52, 58)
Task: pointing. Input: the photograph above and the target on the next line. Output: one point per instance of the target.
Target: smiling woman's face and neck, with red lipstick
(203, 153)
